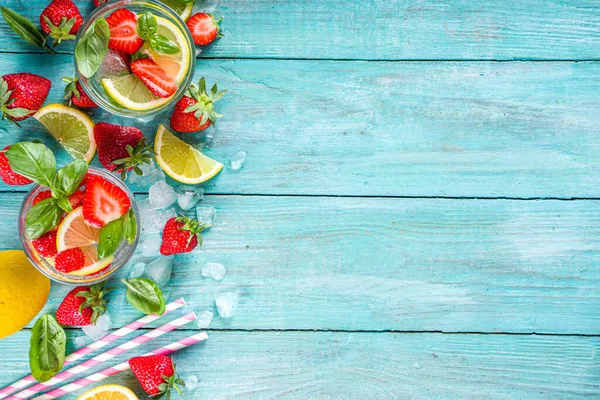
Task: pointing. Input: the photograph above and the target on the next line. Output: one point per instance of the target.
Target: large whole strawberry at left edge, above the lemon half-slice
(27, 94)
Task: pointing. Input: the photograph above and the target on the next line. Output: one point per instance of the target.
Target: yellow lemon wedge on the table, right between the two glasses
(181, 161)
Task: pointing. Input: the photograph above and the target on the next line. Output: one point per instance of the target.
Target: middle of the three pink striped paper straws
(99, 359)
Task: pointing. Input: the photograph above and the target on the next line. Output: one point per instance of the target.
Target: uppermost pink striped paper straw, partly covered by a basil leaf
(98, 344)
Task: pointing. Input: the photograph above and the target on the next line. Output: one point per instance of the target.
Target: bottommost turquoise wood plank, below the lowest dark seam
(328, 365)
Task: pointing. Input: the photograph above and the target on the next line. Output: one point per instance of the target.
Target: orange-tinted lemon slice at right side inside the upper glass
(175, 65)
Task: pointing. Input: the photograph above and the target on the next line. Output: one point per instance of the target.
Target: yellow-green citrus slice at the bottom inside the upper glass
(130, 92)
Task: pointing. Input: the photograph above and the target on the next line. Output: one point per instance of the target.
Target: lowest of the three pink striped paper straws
(124, 366)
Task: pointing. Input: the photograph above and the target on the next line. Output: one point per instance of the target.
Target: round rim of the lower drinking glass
(47, 269)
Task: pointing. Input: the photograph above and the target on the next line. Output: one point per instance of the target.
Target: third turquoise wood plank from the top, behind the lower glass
(389, 264)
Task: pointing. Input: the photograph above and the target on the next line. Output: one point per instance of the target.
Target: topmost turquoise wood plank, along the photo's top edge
(387, 30)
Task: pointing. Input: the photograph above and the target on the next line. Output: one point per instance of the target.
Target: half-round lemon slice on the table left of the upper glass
(73, 129)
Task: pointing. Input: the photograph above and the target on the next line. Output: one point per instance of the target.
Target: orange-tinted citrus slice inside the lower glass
(74, 232)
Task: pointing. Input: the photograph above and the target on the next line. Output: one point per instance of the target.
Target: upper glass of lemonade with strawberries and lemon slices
(118, 86)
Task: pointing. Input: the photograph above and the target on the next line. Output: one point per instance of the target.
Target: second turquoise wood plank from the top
(391, 129)
